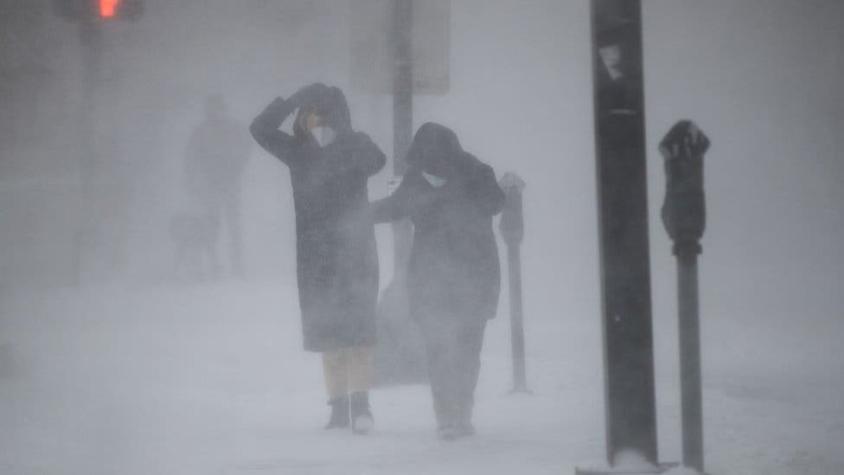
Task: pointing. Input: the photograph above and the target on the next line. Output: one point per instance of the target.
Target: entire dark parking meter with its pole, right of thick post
(684, 217)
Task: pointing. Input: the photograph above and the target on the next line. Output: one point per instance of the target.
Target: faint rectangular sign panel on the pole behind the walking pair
(373, 55)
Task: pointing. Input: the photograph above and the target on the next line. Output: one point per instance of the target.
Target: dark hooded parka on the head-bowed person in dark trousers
(453, 270)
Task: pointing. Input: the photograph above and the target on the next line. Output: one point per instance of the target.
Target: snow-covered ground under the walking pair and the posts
(211, 379)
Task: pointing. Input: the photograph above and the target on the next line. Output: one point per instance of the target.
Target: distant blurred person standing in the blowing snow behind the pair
(217, 154)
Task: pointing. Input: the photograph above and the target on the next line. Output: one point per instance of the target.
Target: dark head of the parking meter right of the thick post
(684, 208)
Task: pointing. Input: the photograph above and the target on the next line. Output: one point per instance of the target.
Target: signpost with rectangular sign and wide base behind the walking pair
(401, 48)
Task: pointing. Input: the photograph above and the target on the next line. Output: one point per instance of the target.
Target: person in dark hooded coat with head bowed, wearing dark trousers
(453, 275)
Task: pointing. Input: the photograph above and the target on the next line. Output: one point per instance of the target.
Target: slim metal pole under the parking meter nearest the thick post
(690, 367)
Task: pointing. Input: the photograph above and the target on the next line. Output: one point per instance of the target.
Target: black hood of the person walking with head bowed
(435, 149)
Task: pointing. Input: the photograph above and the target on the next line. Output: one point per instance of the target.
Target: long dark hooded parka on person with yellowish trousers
(335, 242)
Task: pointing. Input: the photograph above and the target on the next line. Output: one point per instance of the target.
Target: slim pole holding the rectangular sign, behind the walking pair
(402, 119)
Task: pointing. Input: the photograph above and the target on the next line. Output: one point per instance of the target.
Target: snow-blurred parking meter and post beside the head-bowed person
(512, 229)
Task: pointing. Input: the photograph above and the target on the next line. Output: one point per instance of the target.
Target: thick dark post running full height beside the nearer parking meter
(623, 228)
